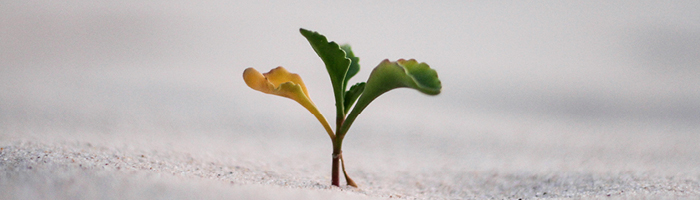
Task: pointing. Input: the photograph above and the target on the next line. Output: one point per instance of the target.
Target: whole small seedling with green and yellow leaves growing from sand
(342, 65)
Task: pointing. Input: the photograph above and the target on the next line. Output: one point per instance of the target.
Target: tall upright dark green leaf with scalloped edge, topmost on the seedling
(336, 64)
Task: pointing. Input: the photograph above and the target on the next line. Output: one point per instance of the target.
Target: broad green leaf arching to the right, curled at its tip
(390, 75)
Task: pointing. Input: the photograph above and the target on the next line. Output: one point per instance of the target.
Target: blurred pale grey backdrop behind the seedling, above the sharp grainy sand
(515, 75)
